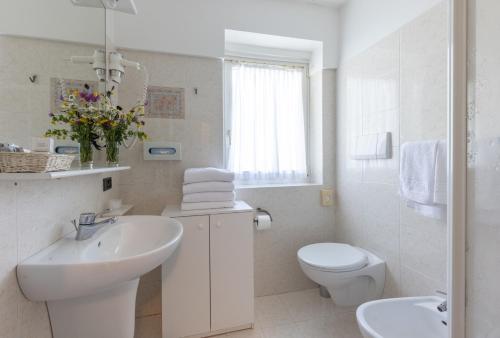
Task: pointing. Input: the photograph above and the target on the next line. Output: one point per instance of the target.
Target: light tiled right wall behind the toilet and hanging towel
(398, 86)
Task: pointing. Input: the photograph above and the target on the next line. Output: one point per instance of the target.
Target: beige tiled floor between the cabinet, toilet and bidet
(301, 314)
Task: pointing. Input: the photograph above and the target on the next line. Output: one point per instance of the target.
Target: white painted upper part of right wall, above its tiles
(364, 22)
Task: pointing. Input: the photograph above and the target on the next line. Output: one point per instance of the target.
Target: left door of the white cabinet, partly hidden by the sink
(186, 282)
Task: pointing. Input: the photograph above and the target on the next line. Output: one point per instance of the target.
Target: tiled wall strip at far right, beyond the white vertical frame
(483, 177)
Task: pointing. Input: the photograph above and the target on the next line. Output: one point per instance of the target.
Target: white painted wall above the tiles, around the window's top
(196, 27)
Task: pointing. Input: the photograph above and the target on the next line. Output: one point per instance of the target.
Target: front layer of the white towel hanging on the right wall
(418, 170)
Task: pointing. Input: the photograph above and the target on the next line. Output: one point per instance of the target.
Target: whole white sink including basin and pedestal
(90, 286)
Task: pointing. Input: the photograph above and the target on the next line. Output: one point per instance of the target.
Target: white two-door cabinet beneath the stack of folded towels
(208, 284)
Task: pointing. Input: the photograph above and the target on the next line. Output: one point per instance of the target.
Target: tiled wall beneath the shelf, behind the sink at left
(34, 214)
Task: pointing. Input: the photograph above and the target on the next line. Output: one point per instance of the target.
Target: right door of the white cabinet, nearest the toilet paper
(231, 270)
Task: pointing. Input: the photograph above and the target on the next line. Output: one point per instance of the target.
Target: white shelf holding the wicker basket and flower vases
(59, 174)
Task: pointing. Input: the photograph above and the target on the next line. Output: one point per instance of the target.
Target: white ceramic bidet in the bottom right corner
(412, 317)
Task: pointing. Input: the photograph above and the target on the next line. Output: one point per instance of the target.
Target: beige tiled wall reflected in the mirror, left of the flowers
(25, 105)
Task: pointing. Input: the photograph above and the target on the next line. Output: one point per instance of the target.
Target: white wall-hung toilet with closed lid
(351, 275)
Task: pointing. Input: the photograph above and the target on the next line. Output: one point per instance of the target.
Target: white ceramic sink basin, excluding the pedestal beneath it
(119, 252)
